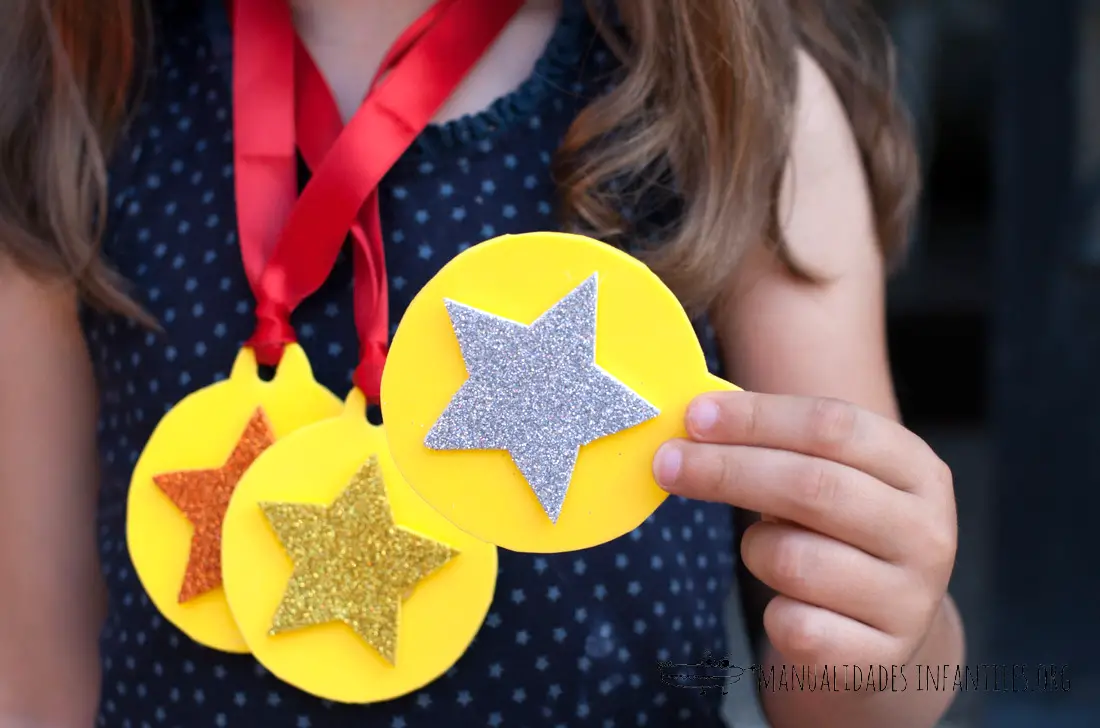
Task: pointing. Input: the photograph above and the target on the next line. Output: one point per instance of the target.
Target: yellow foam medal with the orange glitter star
(183, 482)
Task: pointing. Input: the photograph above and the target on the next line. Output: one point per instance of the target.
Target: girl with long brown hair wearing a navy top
(751, 150)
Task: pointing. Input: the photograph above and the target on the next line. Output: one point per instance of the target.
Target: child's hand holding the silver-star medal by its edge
(861, 534)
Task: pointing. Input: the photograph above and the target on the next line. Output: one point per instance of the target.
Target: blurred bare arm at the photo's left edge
(51, 593)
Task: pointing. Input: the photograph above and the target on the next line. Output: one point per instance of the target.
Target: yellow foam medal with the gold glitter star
(344, 582)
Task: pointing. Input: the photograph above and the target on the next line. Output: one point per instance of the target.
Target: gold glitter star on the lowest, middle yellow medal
(351, 562)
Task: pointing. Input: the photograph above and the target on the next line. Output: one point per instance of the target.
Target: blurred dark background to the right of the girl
(995, 334)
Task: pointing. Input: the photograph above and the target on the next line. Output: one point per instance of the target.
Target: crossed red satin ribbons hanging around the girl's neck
(281, 102)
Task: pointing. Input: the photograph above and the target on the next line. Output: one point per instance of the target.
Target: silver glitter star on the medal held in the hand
(537, 392)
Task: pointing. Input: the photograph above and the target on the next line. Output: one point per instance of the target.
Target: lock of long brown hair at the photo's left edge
(65, 74)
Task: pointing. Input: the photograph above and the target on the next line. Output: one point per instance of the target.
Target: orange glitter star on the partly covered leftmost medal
(204, 497)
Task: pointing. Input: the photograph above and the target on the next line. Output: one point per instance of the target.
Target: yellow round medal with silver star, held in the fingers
(531, 384)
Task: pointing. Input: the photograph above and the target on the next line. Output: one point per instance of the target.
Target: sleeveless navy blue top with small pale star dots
(571, 639)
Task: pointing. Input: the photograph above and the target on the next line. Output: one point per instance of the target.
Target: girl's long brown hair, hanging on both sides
(703, 107)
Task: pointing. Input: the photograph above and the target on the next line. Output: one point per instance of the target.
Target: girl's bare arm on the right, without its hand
(828, 340)
